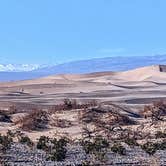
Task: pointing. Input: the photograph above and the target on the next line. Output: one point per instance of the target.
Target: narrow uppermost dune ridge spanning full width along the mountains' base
(139, 74)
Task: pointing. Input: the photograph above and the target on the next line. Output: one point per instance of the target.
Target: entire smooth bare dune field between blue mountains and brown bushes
(138, 86)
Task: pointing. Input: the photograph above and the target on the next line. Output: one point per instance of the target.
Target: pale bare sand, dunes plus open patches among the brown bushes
(130, 90)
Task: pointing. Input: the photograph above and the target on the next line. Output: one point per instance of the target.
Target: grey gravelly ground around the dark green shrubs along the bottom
(21, 155)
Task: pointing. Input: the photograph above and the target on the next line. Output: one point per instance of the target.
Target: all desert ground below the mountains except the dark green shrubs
(123, 102)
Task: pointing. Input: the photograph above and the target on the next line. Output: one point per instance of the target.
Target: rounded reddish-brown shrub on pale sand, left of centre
(35, 120)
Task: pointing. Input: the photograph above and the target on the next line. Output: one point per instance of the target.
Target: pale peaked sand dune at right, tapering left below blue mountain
(139, 74)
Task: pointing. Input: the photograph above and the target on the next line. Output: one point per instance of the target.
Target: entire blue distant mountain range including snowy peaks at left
(82, 66)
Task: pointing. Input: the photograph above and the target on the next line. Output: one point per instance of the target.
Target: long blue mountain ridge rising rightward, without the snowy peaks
(104, 64)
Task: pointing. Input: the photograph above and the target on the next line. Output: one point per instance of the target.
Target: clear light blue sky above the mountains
(57, 31)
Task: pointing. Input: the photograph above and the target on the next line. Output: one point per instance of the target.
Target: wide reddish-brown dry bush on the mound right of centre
(106, 122)
